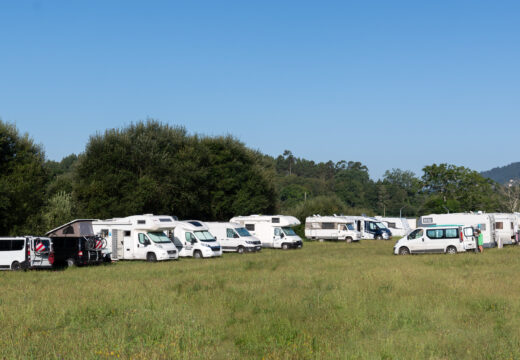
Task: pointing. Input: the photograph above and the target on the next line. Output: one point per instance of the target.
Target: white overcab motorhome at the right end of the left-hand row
(274, 231)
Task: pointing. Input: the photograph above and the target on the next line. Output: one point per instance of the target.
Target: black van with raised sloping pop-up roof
(75, 243)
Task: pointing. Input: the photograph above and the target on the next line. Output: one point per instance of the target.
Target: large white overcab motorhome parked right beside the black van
(138, 237)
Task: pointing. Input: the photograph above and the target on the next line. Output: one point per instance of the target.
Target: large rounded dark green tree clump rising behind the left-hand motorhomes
(150, 167)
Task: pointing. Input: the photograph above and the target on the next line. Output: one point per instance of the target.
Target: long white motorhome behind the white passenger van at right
(497, 229)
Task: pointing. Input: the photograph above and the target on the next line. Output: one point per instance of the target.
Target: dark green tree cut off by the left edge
(22, 179)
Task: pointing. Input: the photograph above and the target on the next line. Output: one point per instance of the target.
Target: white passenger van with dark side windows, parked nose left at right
(449, 239)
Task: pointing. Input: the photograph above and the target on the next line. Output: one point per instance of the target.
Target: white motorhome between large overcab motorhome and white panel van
(193, 239)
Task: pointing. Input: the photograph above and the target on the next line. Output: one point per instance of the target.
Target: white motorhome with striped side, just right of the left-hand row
(331, 228)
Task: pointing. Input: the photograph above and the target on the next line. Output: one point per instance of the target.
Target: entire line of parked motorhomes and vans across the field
(155, 238)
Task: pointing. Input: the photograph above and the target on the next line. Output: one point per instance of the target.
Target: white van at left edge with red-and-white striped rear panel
(27, 252)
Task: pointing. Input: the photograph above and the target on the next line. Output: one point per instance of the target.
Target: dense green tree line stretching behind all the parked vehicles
(151, 167)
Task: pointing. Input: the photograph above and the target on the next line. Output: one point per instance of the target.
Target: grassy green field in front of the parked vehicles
(326, 301)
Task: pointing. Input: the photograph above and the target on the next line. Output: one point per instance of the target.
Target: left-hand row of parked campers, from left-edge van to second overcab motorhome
(147, 237)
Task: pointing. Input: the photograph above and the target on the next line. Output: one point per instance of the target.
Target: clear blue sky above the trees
(393, 84)
